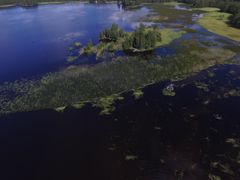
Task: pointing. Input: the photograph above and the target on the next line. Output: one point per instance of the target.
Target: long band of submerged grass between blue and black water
(103, 83)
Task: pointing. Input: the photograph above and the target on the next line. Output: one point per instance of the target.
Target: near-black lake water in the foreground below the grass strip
(165, 136)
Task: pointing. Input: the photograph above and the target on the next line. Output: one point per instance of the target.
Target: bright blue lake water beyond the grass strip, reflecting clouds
(34, 41)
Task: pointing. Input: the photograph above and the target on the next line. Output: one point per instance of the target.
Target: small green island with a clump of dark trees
(141, 40)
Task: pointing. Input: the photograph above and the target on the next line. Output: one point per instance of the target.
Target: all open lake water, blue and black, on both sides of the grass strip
(154, 137)
